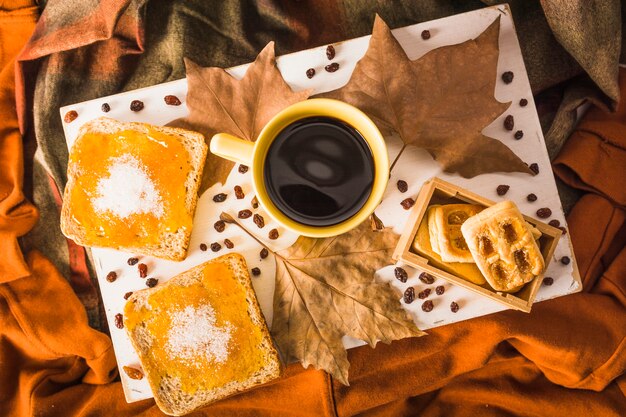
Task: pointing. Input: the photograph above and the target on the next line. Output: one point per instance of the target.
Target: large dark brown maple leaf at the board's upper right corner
(440, 102)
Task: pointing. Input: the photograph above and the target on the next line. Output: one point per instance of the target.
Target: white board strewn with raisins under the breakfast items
(415, 166)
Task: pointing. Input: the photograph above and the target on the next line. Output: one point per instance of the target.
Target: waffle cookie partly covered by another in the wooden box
(444, 227)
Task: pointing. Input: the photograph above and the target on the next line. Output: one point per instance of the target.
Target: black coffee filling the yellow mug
(319, 171)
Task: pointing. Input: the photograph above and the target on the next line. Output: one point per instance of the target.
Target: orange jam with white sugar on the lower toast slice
(218, 342)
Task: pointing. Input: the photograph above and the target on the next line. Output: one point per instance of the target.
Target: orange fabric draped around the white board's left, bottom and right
(567, 357)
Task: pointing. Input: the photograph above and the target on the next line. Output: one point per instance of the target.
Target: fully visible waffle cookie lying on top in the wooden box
(503, 247)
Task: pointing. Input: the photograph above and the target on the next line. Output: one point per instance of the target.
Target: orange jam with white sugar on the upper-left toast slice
(130, 187)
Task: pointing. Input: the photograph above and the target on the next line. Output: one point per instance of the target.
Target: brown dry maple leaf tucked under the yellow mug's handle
(219, 103)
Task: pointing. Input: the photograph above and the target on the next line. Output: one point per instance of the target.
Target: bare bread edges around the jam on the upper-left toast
(173, 245)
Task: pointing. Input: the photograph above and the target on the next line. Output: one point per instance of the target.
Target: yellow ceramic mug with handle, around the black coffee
(254, 154)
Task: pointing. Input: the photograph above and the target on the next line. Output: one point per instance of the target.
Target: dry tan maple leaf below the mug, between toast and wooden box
(325, 288)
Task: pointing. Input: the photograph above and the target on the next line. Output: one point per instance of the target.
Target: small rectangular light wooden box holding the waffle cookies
(438, 191)
